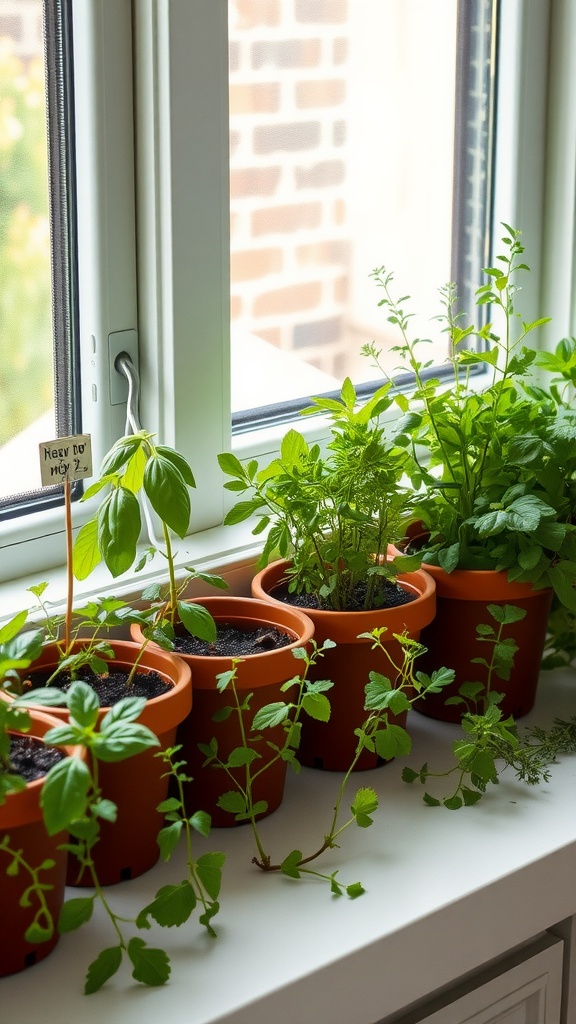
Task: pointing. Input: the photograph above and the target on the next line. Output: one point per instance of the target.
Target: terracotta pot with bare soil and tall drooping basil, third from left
(263, 676)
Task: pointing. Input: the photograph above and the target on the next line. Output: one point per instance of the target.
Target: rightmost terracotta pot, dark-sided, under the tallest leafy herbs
(463, 598)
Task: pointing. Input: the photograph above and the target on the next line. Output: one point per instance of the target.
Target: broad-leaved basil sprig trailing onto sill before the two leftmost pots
(72, 800)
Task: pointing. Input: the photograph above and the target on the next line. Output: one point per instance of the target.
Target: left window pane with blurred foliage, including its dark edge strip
(35, 277)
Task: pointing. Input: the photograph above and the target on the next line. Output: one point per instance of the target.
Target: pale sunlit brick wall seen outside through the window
(290, 253)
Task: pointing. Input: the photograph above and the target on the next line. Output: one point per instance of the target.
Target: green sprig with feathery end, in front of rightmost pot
(492, 743)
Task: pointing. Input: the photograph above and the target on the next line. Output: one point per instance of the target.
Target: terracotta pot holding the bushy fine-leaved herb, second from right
(332, 745)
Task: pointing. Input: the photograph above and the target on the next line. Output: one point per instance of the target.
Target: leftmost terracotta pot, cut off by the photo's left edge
(22, 822)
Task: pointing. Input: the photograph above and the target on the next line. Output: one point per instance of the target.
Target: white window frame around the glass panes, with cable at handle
(179, 218)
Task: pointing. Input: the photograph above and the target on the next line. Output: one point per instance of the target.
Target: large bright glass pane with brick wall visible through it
(343, 121)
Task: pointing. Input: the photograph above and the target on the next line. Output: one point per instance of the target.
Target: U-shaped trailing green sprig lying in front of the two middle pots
(377, 734)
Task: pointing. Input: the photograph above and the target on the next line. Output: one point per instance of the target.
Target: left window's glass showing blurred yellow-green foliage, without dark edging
(27, 385)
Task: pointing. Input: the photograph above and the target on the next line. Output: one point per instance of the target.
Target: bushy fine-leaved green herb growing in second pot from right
(333, 514)
